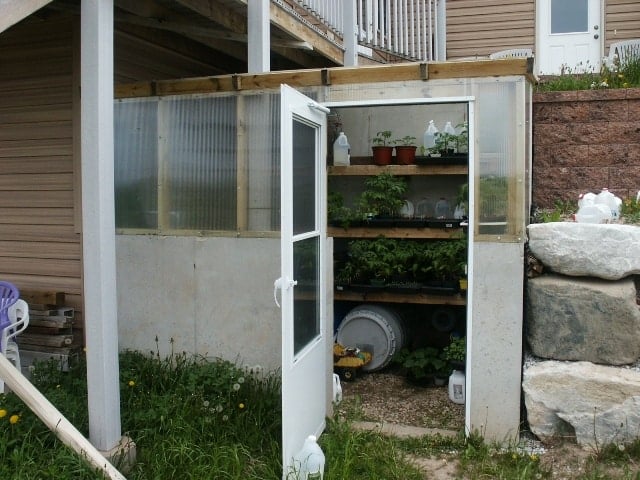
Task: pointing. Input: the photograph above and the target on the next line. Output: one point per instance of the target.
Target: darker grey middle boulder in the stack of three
(589, 319)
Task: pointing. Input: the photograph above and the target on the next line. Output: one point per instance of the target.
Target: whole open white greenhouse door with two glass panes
(305, 362)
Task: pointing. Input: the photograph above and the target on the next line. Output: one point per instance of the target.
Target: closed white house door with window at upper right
(569, 35)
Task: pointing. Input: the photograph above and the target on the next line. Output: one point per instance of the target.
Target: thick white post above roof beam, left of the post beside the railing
(259, 44)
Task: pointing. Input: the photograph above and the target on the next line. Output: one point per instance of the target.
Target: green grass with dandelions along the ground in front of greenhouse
(197, 419)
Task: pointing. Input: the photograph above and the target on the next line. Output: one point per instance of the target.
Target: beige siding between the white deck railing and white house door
(481, 27)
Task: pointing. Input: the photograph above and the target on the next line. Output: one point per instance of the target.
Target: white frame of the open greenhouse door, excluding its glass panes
(306, 372)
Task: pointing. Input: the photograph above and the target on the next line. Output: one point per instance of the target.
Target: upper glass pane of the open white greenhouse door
(304, 178)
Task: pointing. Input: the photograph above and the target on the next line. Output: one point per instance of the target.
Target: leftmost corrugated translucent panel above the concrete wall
(136, 164)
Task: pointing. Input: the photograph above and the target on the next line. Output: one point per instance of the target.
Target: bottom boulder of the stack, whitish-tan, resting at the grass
(598, 404)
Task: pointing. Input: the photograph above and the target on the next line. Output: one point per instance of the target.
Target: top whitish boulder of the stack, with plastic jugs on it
(608, 251)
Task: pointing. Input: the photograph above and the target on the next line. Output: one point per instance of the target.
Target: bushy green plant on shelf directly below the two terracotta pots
(383, 195)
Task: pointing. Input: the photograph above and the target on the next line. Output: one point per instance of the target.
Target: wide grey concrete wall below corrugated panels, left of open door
(212, 296)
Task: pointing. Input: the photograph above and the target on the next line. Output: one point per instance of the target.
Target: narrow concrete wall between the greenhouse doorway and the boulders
(494, 352)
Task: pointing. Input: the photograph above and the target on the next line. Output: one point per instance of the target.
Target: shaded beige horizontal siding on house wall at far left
(40, 249)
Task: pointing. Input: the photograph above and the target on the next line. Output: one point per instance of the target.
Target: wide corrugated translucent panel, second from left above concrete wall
(198, 161)
